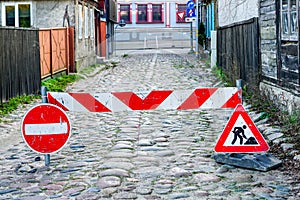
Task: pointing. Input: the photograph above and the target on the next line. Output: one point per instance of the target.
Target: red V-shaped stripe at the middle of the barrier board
(151, 102)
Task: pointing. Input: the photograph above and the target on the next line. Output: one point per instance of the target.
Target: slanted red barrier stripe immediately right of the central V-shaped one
(197, 98)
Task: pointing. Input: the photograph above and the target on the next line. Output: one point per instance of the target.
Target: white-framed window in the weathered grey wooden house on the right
(289, 19)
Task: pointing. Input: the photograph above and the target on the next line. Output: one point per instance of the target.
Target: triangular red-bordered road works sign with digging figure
(240, 135)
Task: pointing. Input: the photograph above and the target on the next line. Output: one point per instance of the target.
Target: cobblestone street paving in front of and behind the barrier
(137, 155)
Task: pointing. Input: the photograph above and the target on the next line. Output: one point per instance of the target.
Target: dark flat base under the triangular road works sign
(261, 162)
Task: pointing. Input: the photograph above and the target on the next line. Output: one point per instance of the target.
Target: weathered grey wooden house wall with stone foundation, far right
(280, 52)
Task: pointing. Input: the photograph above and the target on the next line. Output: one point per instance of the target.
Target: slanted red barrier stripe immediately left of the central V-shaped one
(89, 102)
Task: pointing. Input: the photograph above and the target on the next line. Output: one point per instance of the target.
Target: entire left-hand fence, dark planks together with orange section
(29, 55)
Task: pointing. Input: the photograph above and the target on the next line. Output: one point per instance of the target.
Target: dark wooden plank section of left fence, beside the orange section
(19, 62)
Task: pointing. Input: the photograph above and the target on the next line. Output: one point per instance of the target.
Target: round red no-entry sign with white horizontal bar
(46, 128)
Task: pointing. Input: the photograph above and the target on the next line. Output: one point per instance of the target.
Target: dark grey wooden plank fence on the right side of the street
(239, 52)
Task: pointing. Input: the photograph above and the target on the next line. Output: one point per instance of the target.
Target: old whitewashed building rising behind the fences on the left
(83, 15)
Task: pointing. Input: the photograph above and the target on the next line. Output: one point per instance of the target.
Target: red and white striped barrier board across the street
(201, 98)
